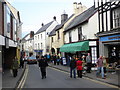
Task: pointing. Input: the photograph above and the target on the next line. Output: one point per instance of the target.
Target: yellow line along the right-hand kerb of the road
(88, 79)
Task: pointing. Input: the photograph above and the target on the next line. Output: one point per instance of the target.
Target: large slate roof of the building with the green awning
(83, 17)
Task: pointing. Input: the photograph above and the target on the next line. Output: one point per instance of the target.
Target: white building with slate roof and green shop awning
(82, 29)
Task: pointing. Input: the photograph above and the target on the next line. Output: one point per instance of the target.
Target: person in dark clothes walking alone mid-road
(43, 64)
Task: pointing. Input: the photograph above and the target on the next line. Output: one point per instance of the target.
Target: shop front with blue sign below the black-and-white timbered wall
(110, 47)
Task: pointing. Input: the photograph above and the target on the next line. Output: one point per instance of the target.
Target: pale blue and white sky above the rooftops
(35, 12)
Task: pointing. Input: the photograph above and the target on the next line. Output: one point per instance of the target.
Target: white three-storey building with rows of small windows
(41, 38)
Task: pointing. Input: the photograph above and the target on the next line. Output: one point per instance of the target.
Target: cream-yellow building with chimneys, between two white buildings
(57, 35)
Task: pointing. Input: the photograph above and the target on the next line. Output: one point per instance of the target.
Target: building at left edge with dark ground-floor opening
(10, 33)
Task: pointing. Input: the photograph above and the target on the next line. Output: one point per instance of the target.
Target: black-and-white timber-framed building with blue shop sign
(109, 30)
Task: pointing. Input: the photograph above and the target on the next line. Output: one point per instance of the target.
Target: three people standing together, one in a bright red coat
(78, 63)
